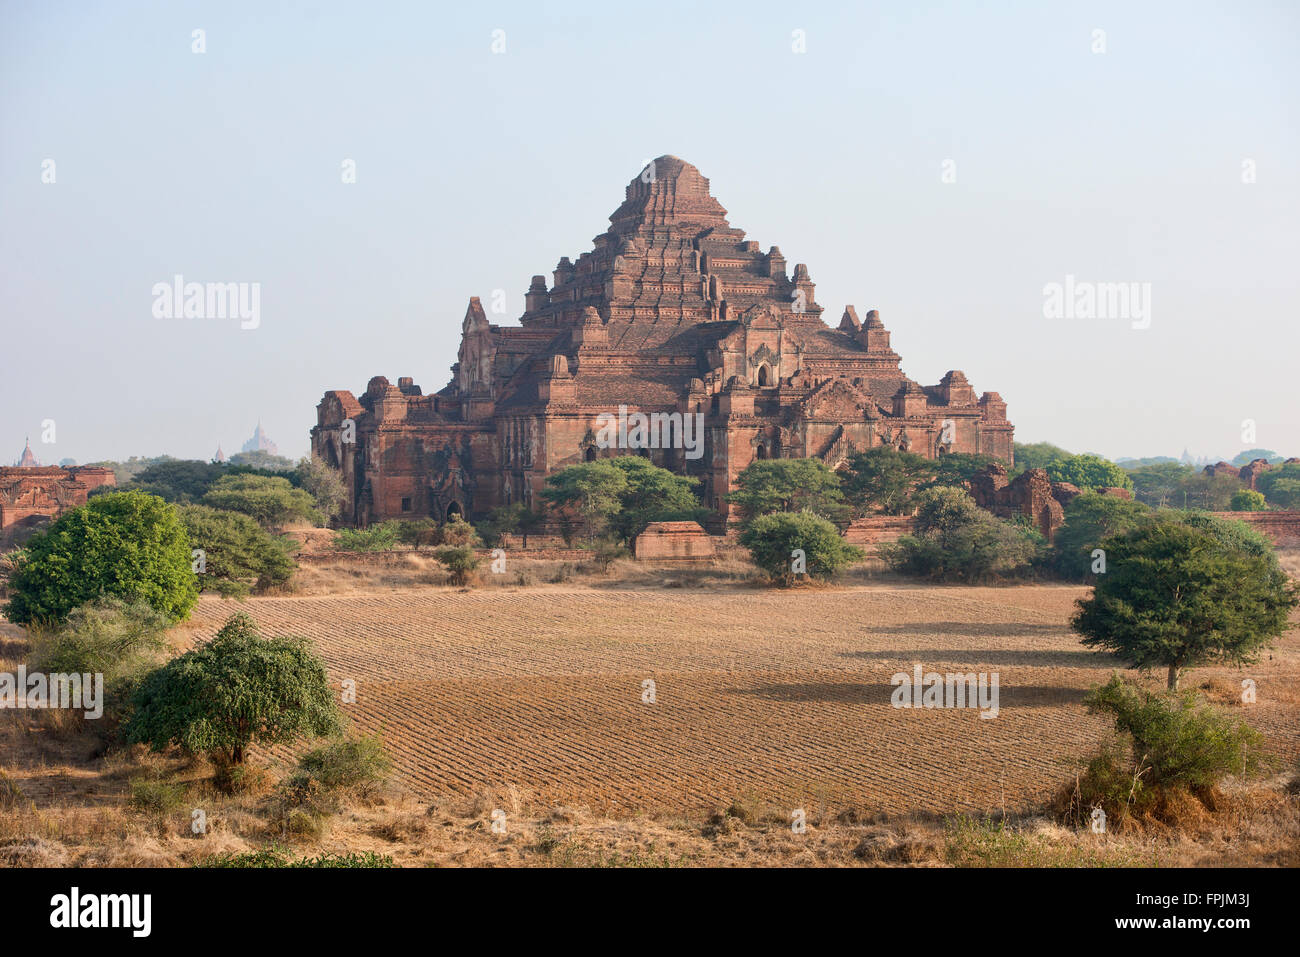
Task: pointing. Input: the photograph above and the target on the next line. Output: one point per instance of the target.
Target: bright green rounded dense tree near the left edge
(124, 545)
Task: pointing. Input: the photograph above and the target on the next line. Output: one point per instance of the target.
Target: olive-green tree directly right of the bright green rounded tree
(239, 555)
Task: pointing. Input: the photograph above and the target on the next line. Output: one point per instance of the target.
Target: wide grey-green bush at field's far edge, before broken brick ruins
(959, 542)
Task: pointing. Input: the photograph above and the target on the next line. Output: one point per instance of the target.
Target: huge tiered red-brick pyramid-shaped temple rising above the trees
(671, 314)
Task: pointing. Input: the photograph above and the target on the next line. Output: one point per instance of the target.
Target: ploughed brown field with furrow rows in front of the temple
(781, 698)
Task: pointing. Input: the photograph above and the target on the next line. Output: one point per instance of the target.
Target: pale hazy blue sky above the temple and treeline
(476, 171)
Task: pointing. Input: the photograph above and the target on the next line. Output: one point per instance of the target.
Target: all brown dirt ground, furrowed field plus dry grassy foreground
(532, 701)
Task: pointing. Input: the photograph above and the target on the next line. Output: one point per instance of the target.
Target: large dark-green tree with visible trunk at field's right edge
(1177, 597)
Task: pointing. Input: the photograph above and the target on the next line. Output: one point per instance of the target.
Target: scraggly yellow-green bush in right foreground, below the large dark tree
(1165, 744)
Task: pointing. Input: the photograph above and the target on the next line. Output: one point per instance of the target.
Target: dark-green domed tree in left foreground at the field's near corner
(235, 691)
